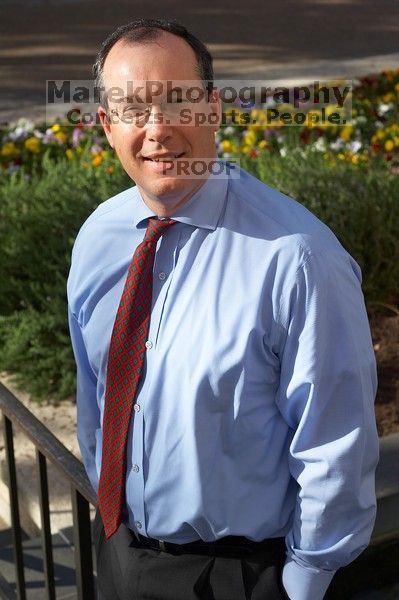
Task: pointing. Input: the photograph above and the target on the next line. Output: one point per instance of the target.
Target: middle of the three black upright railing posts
(46, 526)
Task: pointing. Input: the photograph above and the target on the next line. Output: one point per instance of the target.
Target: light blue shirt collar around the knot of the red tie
(203, 209)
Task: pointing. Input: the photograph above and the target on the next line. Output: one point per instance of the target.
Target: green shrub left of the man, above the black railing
(39, 219)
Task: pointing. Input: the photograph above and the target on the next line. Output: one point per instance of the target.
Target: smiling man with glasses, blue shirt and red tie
(226, 376)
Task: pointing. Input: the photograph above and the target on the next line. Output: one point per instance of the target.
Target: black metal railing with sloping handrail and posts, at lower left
(48, 447)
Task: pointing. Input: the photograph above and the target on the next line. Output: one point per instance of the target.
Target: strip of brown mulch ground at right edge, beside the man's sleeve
(384, 322)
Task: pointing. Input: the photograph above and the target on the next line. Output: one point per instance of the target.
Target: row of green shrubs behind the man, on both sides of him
(39, 219)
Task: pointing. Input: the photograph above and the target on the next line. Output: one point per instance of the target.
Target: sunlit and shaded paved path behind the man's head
(57, 39)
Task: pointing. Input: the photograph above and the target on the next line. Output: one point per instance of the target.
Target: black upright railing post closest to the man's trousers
(82, 542)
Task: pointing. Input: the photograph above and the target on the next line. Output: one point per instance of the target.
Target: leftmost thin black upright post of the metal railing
(14, 507)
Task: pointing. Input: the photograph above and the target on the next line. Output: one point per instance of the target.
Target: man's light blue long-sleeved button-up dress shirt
(255, 414)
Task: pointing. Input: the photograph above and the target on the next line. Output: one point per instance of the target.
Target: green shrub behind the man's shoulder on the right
(360, 205)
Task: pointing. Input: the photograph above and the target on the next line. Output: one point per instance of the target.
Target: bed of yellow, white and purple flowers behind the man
(370, 138)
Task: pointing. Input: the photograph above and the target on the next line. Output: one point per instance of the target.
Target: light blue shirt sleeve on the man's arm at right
(326, 395)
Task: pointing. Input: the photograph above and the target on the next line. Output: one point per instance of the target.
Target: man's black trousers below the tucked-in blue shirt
(128, 571)
